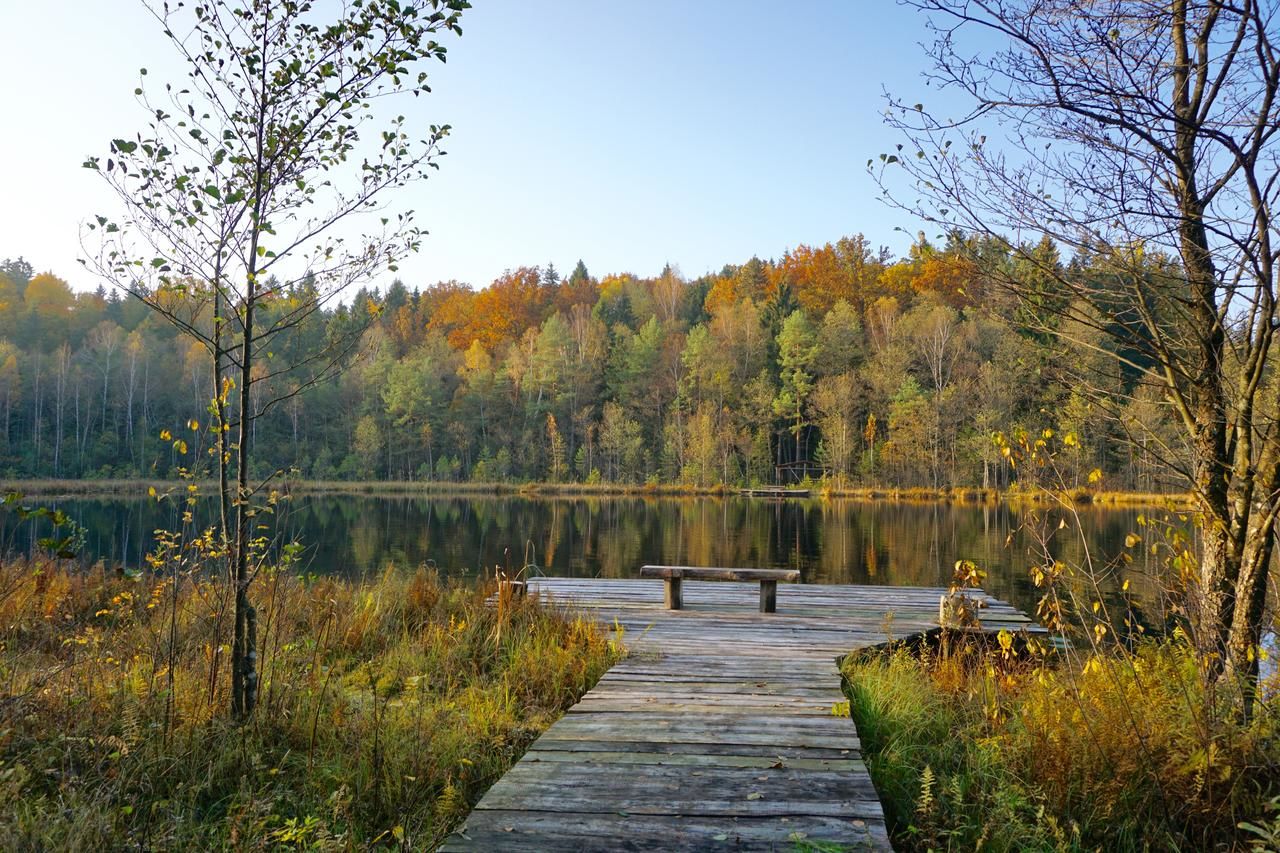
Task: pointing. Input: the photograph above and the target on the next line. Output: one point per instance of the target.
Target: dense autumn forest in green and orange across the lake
(836, 364)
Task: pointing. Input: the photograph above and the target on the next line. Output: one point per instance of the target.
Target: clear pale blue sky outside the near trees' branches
(627, 135)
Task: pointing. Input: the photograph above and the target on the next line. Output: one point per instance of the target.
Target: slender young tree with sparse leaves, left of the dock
(257, 195)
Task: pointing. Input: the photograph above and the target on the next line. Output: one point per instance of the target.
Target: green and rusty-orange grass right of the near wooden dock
(1124, 752)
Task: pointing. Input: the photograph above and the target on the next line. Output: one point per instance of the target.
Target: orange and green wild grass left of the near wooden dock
(387, 708)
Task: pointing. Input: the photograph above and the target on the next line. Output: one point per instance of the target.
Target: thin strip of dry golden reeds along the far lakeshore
(63, 489)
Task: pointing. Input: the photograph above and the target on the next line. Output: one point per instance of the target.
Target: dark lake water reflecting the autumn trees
(847, 542)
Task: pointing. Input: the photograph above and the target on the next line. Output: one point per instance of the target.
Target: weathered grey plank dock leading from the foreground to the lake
(725, 729)
